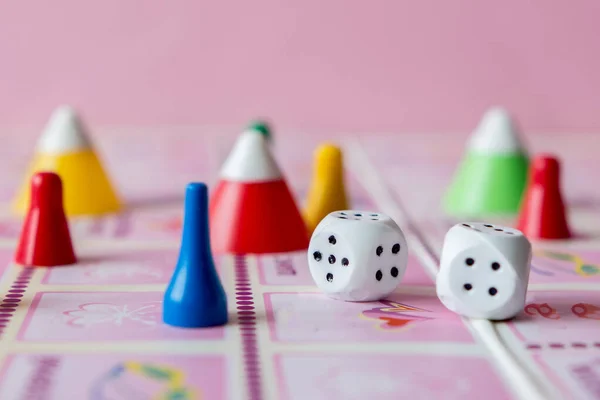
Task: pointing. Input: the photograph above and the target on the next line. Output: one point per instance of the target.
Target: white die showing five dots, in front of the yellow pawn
(357, 255)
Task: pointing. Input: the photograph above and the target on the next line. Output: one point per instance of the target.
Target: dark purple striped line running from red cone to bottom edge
(247, 323)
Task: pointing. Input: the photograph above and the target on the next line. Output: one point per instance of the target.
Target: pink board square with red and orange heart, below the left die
(403, 317)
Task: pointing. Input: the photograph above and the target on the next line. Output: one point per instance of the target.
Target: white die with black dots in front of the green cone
(484, 271)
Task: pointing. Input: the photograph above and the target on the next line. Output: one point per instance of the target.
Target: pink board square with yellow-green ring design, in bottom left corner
(113, 376)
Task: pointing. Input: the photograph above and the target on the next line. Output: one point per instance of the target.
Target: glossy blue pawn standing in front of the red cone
(195, 297)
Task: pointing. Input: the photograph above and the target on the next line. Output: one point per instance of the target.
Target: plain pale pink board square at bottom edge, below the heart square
(357, 376)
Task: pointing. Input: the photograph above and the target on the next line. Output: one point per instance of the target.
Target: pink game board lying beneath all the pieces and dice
(93, 331)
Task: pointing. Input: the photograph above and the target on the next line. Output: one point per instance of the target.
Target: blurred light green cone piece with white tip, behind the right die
(491, 178)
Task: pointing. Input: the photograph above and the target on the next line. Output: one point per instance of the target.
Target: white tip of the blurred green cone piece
(496, 134)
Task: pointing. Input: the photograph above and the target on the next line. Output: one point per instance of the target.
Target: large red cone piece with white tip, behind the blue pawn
(252, 209)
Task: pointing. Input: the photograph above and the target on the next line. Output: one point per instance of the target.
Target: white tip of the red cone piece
(251, 160)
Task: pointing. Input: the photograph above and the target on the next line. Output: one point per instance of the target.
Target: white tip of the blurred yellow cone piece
(63, 133)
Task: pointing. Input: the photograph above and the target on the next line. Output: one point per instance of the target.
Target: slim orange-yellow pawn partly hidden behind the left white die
(327, 192)
